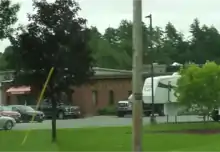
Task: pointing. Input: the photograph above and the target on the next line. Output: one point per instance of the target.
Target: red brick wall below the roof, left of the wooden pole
(83, 95)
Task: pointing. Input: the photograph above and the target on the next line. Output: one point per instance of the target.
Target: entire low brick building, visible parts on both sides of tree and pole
(106, 87)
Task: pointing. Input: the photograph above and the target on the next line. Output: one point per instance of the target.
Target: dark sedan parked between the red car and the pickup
(28, 112)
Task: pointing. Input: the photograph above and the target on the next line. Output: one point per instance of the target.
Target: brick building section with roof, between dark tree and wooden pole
(107, 87)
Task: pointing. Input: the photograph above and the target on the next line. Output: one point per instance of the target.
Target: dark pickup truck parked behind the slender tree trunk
(63, 110)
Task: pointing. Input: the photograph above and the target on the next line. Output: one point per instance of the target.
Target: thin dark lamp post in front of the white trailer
(152, 118)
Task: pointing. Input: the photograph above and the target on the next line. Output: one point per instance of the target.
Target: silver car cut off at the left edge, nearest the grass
(7, 123)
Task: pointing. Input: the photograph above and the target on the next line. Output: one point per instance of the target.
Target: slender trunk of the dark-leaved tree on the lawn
(54, 117)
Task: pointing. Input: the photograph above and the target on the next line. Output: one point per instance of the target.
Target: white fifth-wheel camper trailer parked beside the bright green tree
(163, 93)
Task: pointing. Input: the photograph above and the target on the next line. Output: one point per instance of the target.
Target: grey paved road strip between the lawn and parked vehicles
(99, 121)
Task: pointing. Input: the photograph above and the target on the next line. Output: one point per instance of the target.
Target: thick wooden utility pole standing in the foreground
(137, 110)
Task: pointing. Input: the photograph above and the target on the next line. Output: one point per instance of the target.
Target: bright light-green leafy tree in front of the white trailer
(199, 87)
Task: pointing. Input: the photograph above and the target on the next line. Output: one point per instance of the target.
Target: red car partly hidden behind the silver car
(7, 111)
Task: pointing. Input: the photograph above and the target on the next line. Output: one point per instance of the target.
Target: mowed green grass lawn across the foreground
(114, 139)
